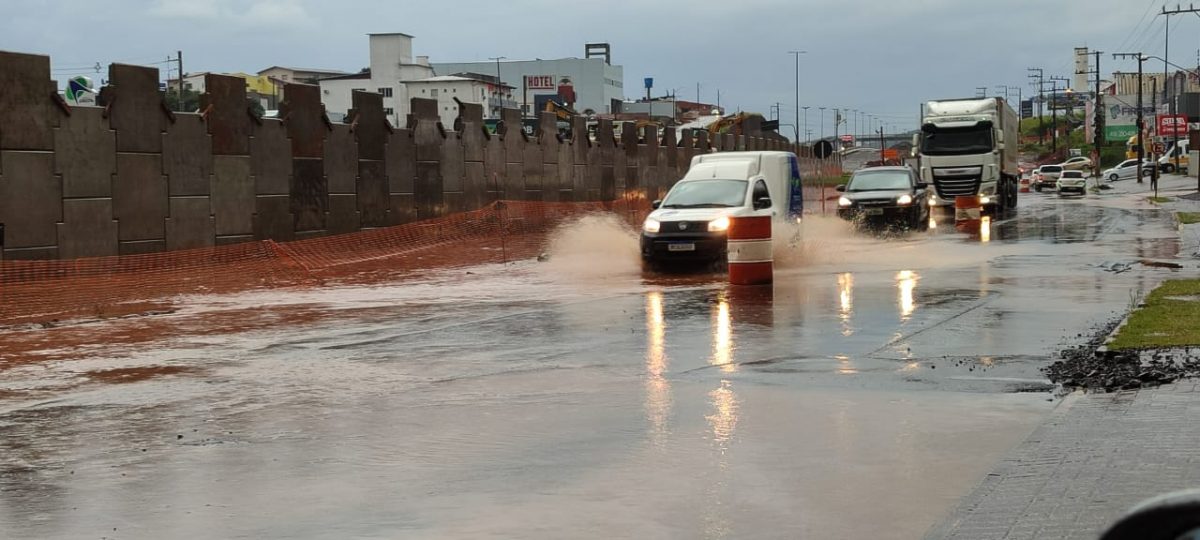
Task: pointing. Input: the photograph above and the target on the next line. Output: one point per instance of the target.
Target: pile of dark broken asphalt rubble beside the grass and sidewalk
(1090, 369)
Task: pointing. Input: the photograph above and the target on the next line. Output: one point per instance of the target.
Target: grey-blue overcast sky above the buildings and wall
(883, 57)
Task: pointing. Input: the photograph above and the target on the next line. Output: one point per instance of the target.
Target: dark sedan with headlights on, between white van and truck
(885, 196)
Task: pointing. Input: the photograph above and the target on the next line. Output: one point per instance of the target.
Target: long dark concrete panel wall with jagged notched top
(133, 177)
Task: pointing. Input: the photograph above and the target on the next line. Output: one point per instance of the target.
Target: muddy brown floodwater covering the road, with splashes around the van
(866, 392)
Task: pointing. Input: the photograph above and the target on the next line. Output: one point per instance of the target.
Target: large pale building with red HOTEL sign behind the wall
(587, 85)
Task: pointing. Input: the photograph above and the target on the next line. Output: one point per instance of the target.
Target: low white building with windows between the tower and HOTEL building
(467, 88)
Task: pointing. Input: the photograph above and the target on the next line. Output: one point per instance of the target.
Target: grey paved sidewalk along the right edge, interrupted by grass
(1097, 455)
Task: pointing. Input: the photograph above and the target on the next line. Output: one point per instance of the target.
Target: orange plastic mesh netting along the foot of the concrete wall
(49, 291)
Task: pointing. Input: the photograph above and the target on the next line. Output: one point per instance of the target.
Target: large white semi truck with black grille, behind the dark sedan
(969, 147)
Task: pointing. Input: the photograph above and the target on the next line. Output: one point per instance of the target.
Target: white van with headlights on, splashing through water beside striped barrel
(692, 223)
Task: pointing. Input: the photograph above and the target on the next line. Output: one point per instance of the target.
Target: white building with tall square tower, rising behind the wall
(392, 65)
